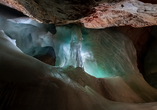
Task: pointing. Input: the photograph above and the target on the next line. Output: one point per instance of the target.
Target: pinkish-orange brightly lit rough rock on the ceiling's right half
(130, 12)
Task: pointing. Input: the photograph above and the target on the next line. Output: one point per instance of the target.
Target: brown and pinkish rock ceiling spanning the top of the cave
(89, 13)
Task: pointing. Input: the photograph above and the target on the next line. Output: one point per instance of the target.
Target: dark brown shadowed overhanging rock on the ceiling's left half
(52, 11)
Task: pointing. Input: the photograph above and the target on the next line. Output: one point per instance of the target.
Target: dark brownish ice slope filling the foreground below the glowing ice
(26, 83)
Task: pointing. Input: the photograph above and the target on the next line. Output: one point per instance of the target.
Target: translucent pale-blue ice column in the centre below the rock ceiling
(67, 45)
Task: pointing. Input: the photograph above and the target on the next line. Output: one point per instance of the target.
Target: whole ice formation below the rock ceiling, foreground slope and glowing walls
(105, 54)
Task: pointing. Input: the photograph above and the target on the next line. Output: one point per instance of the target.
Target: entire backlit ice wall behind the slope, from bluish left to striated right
(101, 53)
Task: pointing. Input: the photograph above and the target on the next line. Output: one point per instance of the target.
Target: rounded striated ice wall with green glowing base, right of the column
(109, 52)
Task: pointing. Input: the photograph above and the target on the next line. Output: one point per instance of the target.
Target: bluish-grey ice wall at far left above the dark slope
(29, 37)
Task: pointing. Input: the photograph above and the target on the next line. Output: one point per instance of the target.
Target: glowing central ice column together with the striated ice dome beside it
(102, 53)
